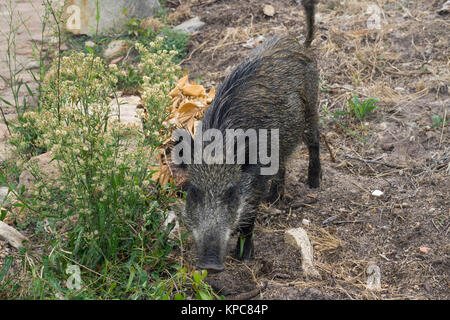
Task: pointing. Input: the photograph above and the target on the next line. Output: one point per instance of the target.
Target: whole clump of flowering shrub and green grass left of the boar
(102, 212)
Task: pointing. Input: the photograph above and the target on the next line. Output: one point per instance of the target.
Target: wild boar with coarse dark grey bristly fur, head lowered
(275, 87)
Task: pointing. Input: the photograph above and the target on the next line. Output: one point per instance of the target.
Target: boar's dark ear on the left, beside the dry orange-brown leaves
(182, 153)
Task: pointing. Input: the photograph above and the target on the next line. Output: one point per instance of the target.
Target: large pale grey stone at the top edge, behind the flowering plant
(80, 15)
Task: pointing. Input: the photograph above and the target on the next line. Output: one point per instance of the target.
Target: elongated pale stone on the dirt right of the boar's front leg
(299, 239)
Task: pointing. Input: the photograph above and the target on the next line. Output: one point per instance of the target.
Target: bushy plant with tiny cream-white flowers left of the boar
(104, 177)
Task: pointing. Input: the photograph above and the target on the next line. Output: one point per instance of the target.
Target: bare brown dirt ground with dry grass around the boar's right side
(405, 64)
